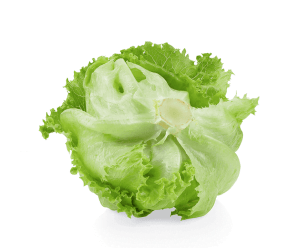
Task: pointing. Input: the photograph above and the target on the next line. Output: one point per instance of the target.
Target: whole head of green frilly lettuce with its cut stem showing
(151, 129)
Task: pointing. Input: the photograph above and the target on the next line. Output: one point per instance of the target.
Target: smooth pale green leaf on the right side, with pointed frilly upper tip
(210, 142)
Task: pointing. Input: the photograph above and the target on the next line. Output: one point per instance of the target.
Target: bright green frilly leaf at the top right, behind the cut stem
(206, 82)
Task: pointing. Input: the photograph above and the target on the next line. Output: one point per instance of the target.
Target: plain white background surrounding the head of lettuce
(43, 42)
